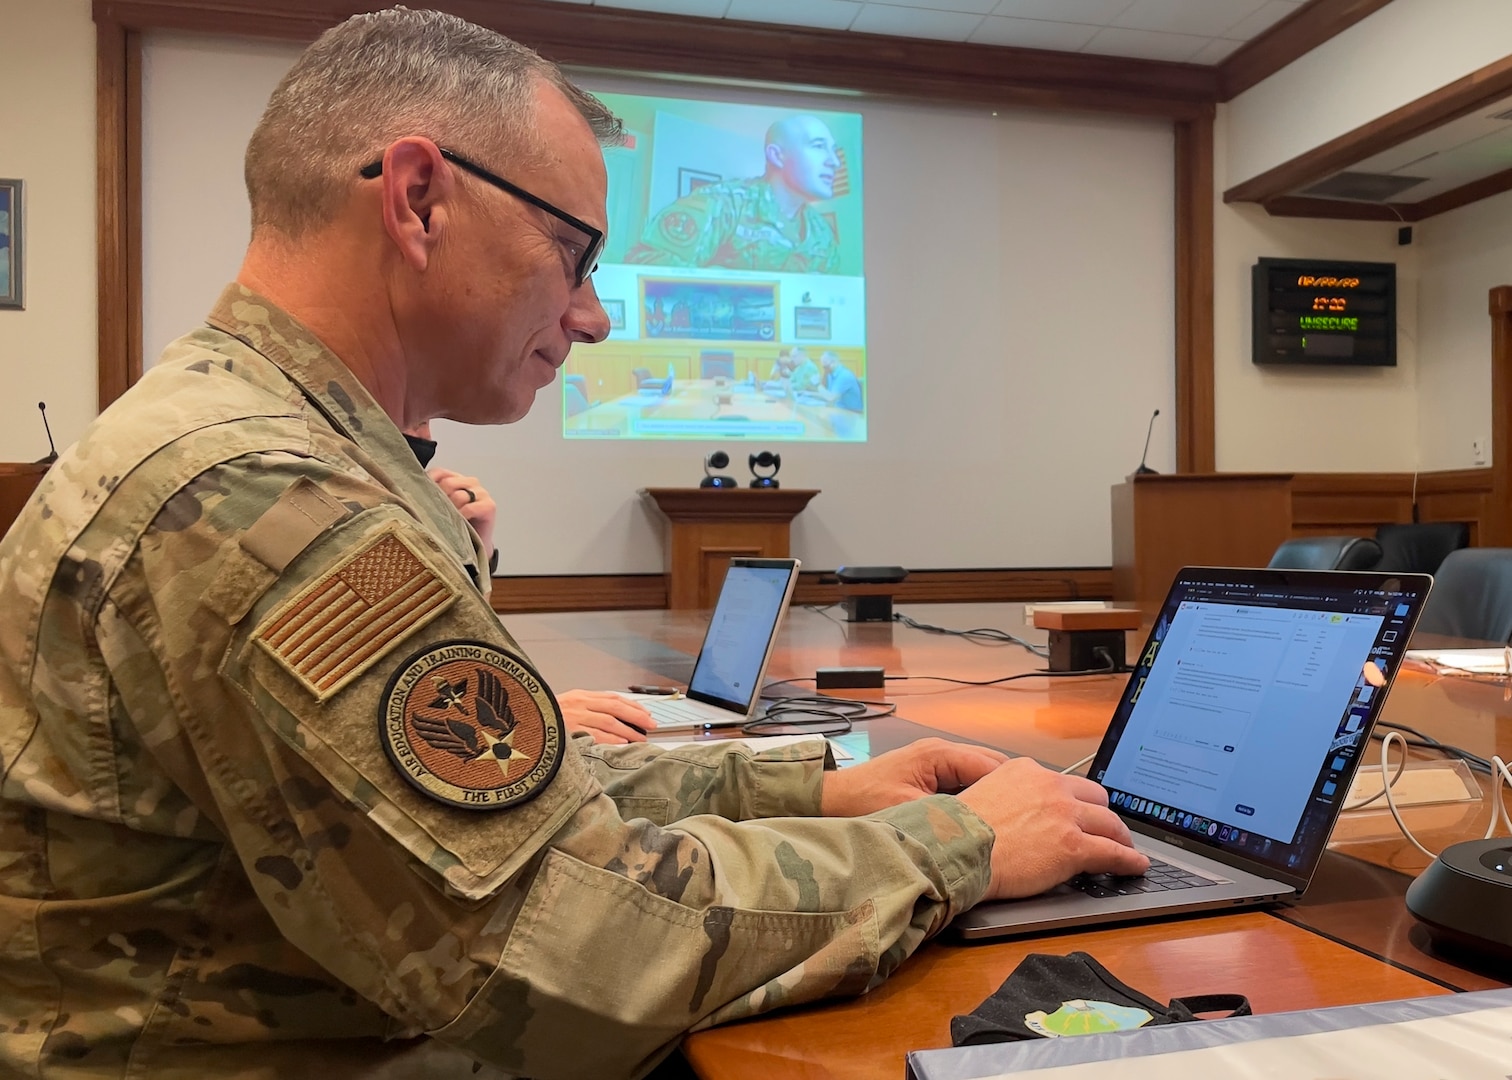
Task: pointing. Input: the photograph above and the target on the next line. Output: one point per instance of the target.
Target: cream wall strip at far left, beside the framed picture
(48, 140)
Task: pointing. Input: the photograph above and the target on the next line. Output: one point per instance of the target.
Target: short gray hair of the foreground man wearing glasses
(386, 75)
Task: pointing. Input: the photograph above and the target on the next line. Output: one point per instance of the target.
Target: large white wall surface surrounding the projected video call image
(1020, 308)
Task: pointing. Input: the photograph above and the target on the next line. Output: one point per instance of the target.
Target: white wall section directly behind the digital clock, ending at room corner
(1327, 420)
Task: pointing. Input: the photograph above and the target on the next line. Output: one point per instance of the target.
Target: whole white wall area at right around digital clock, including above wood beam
(1427, 412)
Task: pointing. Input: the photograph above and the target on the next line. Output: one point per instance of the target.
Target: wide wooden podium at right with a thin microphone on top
(1162, 524)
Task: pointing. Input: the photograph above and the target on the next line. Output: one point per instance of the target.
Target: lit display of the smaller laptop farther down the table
(740, 636)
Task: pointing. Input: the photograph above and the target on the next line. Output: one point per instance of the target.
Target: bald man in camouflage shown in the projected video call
(767, 223)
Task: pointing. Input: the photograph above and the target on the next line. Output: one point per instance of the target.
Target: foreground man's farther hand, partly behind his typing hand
(928, 768)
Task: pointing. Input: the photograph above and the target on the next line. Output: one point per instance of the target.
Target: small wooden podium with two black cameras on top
(711, 526)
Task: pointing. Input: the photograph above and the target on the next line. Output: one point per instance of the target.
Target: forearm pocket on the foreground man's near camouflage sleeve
(601, 975)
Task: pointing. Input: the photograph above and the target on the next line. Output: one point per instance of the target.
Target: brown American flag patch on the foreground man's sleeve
(355, 613)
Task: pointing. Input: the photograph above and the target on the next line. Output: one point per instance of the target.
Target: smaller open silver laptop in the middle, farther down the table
(733, 663)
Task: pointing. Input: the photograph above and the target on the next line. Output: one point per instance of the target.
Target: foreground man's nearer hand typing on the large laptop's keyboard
(1049, 828)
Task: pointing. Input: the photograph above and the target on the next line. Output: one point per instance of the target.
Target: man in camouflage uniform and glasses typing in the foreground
(279, 796)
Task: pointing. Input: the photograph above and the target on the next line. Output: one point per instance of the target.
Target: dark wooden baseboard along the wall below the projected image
(625, 592)
